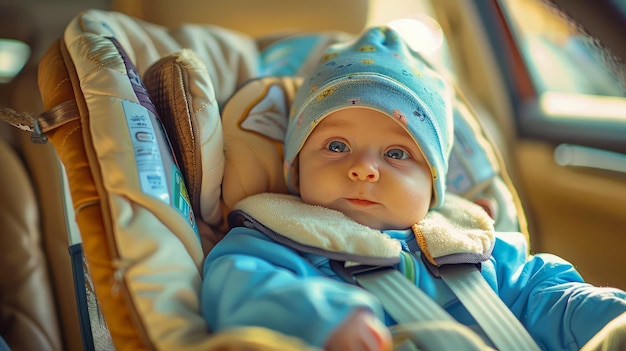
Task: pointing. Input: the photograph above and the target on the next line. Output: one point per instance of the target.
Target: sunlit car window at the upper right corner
(573, 74)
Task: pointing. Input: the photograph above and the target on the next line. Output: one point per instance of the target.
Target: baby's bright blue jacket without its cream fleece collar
(251, 280)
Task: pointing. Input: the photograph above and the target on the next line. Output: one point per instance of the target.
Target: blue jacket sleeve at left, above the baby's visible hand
(250, 280)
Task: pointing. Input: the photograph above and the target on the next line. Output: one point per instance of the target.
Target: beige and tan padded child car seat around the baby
(145, 121)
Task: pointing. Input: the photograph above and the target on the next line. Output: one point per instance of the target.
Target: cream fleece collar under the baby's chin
(457, 232)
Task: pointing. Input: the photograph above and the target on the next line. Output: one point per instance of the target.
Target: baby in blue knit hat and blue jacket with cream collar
(366, 154)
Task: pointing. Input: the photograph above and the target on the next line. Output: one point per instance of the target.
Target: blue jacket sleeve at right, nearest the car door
(549, 296)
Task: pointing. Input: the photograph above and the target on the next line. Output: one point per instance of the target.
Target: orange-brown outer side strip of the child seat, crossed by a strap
(55, 84)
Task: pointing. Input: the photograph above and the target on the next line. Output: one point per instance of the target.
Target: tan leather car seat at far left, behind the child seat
(36, 287)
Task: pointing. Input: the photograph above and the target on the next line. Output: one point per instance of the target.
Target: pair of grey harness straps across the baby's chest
(406, 303)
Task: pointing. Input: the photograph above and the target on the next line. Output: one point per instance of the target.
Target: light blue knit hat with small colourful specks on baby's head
(378, 71)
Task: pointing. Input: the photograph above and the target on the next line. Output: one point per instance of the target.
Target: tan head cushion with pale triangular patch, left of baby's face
(254, 122)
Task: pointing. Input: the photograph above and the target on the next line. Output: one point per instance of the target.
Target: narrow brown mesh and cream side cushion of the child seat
(183, 94)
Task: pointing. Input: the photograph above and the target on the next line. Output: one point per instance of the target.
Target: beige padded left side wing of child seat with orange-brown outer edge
(143, 257)
